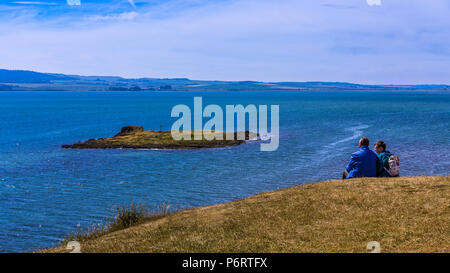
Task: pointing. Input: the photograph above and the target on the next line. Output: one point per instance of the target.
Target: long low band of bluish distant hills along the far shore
(21, 80)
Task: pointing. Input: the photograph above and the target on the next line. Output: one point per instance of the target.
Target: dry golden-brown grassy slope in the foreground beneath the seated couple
(406, 214)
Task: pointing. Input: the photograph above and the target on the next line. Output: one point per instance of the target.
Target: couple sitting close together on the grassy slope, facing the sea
(366, 163)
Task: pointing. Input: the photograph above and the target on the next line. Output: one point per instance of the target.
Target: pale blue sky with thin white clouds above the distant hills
(359, 41)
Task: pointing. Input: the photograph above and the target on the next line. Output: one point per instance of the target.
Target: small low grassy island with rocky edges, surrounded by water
(135, 137)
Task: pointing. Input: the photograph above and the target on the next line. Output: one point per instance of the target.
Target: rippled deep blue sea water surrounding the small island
(46, 191)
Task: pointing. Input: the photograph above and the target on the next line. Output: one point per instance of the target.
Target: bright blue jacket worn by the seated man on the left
(363, 163)
